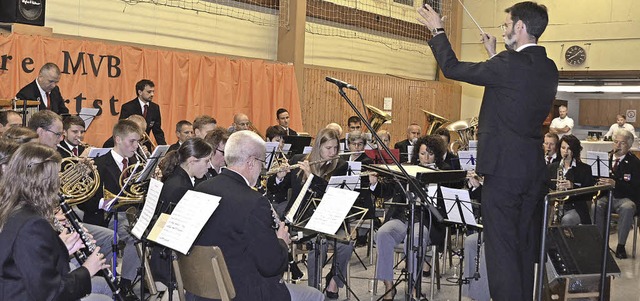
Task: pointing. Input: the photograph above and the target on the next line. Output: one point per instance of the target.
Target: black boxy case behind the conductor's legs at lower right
(577, 250)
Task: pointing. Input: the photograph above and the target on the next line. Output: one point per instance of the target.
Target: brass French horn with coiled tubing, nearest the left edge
(79, 180)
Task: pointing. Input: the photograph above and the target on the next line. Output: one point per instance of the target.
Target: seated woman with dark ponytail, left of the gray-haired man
(180, 168)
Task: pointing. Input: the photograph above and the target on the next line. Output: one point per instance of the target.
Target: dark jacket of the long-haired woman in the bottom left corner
(35, 262)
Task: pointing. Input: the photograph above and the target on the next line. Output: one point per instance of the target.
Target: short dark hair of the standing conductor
(532, 14)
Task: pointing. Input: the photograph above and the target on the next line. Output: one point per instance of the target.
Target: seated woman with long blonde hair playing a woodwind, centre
(325, 147)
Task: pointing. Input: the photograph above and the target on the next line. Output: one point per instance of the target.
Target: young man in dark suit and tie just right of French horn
(110, 166)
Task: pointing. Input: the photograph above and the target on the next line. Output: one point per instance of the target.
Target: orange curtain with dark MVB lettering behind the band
(101, 75)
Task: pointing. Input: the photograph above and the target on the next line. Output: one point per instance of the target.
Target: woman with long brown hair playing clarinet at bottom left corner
(34, 258)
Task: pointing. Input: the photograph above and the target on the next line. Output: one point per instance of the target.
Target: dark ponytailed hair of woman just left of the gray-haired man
(193, 147)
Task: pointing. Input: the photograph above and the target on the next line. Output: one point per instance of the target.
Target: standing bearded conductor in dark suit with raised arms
(520, 86)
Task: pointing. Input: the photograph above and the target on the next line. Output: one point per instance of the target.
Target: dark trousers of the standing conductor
(512, 217)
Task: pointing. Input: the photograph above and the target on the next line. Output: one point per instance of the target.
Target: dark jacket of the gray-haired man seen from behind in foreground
(242, 227)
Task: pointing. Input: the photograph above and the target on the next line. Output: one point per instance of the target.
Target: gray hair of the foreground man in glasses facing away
(242, 145)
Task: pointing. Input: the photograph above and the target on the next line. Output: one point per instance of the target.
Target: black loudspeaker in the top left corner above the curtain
(22, 11)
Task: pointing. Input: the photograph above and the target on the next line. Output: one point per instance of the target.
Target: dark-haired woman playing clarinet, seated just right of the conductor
(575, 174)
